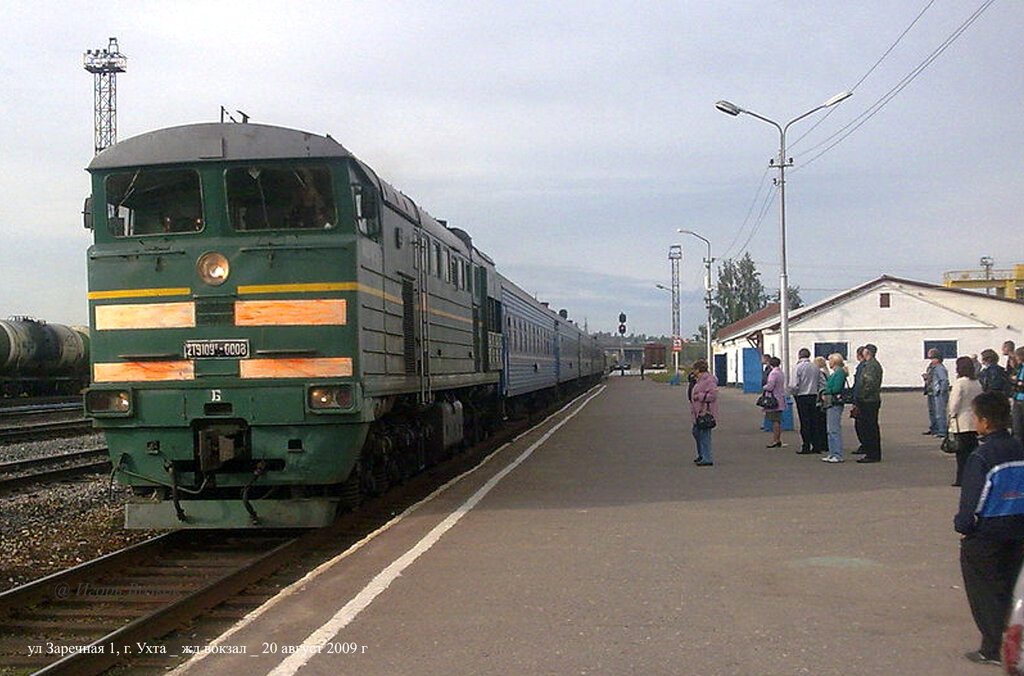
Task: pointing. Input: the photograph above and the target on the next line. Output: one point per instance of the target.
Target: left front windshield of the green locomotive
(154, 202)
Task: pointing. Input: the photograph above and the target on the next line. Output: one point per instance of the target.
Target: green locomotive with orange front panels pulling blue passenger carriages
(278, 332)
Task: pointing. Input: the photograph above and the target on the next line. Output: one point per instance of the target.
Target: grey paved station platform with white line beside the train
(608, 552)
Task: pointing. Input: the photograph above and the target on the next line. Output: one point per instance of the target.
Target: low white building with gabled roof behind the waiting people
(905, 319)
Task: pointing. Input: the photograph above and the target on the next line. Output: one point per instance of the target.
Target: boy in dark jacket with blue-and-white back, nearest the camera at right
(992, 521)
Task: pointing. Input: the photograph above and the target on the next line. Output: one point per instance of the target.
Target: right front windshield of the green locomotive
(262, 198)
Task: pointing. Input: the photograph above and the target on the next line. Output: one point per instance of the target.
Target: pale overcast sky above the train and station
(570, 139)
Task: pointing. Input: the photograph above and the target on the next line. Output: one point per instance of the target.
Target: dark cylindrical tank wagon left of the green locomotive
(40, 359)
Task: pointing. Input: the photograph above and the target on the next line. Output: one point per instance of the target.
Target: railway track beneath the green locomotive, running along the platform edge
(129, 607)
